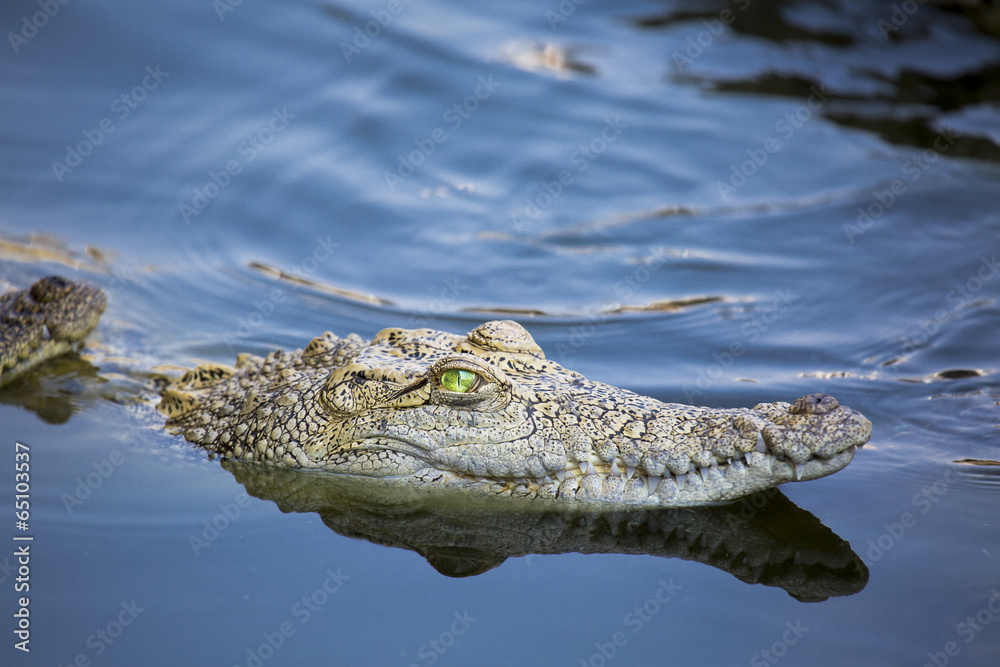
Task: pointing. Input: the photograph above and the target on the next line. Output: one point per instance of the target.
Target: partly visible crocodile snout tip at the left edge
(44, 321)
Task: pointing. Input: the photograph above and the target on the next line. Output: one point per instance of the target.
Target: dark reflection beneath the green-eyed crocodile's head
(764, 539)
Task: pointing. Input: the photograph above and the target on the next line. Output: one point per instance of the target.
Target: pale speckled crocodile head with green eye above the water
(488, 412)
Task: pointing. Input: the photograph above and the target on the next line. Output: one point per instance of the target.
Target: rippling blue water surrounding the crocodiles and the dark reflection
(706, 207)
